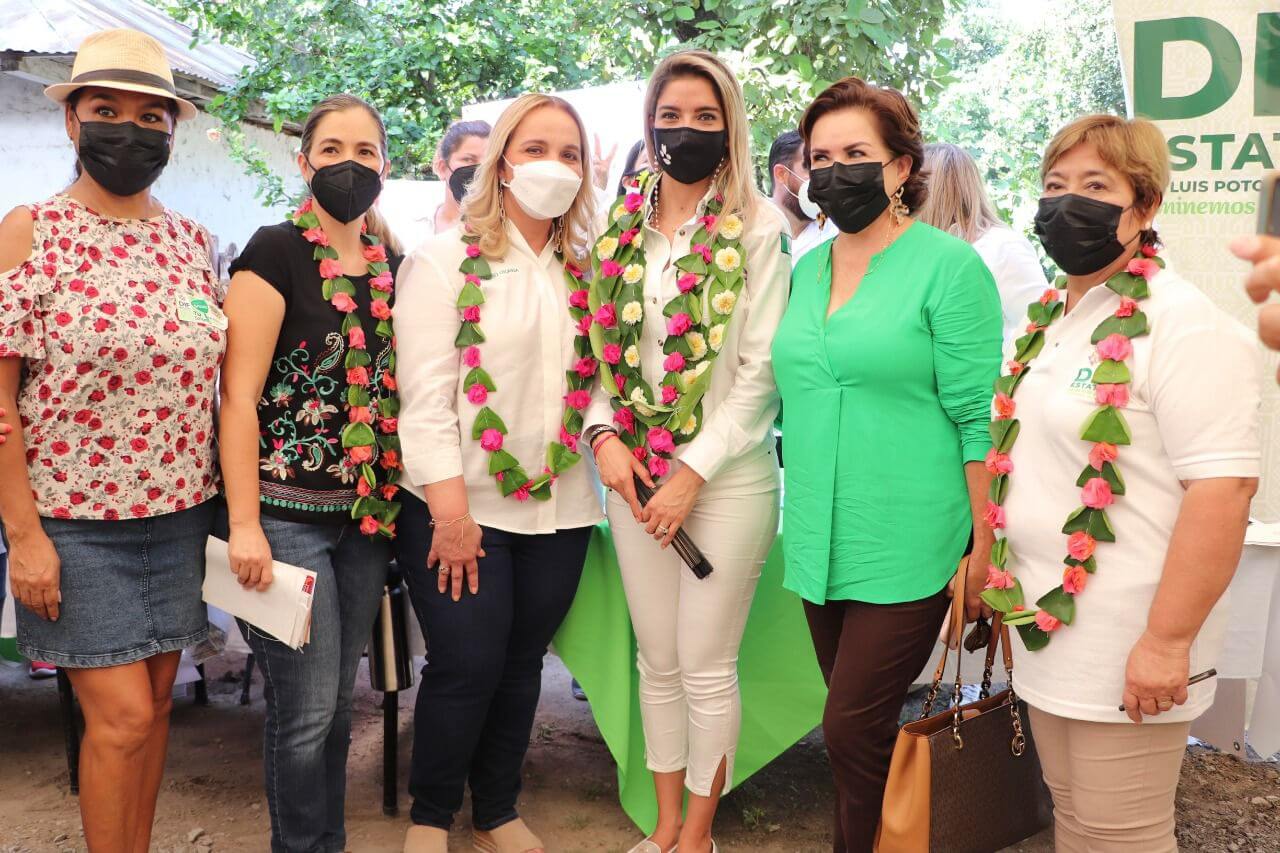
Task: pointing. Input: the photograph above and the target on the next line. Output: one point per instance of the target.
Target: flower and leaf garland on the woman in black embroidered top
(374, 508)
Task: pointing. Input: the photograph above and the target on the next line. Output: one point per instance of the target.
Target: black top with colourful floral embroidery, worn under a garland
(304, 475)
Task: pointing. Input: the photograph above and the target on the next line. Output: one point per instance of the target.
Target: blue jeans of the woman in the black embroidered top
(309, 691)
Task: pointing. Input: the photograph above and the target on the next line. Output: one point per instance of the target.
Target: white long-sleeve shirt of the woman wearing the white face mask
(528, 349)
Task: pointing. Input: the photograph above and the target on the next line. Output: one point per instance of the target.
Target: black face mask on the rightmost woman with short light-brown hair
(1080, 234)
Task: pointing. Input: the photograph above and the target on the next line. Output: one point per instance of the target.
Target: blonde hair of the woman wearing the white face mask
(482, 208)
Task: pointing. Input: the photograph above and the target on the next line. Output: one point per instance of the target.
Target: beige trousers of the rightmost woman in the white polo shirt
(1113, 783)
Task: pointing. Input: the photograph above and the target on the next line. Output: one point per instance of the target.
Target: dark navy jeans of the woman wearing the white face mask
(483, 676)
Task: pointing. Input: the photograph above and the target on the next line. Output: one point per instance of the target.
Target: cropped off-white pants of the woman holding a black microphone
(689, 631)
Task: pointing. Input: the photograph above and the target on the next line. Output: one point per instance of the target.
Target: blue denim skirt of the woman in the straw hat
(131, 590)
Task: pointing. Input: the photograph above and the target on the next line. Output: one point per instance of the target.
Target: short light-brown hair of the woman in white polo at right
(1135, 148)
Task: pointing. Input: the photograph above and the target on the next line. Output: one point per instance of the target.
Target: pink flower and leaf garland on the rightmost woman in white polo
(1105, 430)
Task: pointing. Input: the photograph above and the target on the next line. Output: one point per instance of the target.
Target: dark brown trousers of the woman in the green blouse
(870, 655)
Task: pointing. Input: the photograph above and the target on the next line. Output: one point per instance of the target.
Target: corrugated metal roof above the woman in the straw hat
(61, 26)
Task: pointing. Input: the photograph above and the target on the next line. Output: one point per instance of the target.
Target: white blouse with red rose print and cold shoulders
(121, 334)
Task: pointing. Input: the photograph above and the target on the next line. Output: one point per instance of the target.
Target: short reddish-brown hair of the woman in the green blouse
(899, 127)
